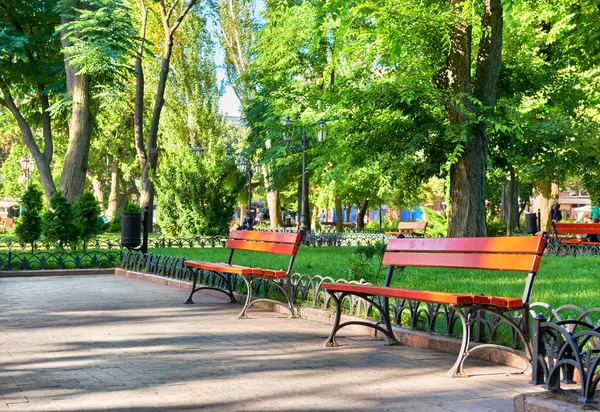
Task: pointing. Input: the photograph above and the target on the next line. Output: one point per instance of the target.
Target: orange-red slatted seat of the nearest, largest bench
(426, 296)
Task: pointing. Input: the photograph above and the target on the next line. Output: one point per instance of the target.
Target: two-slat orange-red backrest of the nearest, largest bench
(520, 254)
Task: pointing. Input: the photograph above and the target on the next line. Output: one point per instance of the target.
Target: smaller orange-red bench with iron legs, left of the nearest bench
(277, 243)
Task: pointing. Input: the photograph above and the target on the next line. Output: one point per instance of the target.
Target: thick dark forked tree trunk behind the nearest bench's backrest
(467, 174)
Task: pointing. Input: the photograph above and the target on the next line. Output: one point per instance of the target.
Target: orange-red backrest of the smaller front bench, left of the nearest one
(271, 242)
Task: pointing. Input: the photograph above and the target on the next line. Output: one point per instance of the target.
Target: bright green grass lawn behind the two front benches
(560, 280)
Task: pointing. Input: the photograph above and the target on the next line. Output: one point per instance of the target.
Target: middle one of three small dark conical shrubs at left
(57, 222)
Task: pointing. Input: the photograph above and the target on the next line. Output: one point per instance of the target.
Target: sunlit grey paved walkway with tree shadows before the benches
(98, 343)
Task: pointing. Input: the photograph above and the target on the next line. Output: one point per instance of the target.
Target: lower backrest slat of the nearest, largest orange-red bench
(511, 262)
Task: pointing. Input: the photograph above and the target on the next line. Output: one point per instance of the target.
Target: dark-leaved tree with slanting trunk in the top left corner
(30, 67)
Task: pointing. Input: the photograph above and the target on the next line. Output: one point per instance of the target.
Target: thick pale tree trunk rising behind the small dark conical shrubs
(72, 179)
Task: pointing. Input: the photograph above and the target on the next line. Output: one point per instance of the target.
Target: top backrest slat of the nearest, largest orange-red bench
(529, 245)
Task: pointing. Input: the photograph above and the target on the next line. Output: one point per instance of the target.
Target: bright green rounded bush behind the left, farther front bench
(196, 196)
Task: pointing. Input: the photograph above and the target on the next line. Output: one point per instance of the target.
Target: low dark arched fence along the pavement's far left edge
(51, 260)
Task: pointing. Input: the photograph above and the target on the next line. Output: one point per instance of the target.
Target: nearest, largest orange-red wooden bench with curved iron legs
(520, 254)
